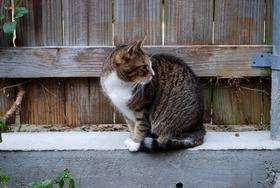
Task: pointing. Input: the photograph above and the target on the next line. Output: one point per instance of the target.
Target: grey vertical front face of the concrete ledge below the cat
(121, 169)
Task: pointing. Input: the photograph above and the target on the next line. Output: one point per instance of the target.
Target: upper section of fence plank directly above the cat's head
(135, 19)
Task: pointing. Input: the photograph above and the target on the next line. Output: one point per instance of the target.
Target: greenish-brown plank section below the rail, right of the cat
(237, 101)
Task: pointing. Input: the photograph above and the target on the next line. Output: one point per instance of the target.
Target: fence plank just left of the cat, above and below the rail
(87, 23)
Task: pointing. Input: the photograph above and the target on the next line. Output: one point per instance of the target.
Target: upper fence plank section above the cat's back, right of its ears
(188, 22)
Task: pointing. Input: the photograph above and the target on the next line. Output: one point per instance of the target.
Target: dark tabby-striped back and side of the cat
(177, 90)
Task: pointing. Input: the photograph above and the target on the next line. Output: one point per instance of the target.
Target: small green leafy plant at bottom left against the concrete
(60, 180)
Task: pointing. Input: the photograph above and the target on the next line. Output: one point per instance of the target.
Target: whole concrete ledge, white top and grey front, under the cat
(224, 160)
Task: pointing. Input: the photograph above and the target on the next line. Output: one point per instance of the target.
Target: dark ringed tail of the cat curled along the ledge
(193, 139)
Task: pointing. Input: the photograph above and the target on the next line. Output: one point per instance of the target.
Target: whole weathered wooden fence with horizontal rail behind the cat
(216, 37)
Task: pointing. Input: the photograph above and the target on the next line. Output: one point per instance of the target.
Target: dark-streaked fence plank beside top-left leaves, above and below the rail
(42, 26)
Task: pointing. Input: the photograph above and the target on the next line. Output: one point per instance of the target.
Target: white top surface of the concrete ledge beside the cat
(254, 140)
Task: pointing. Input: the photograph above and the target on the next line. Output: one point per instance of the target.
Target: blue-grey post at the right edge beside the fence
(275, 94)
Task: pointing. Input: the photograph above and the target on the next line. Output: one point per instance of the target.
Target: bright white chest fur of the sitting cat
(119, 92)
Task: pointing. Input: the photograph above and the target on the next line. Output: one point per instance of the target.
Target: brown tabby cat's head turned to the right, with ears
(131, 63)
